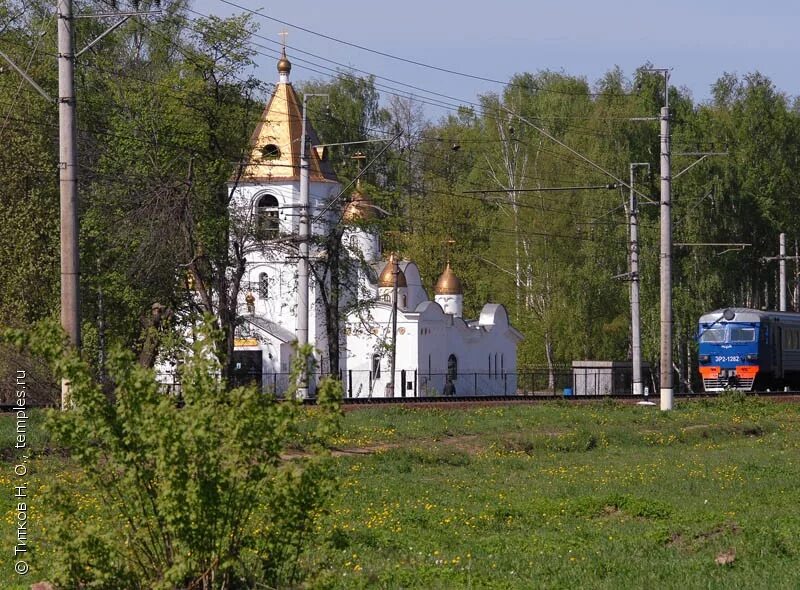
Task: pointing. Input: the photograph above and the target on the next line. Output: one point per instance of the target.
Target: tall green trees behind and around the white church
(166, 107)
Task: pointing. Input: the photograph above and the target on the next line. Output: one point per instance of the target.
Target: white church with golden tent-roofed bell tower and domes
(432, 343)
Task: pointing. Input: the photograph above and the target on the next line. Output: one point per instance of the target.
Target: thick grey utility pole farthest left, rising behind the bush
(68, 180)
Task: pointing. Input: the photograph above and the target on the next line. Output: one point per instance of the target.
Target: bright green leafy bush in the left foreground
(193, 494)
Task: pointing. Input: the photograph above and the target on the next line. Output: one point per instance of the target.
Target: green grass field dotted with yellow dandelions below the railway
(556, 495)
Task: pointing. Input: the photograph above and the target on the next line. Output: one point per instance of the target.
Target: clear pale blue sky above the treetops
(698, 40)
